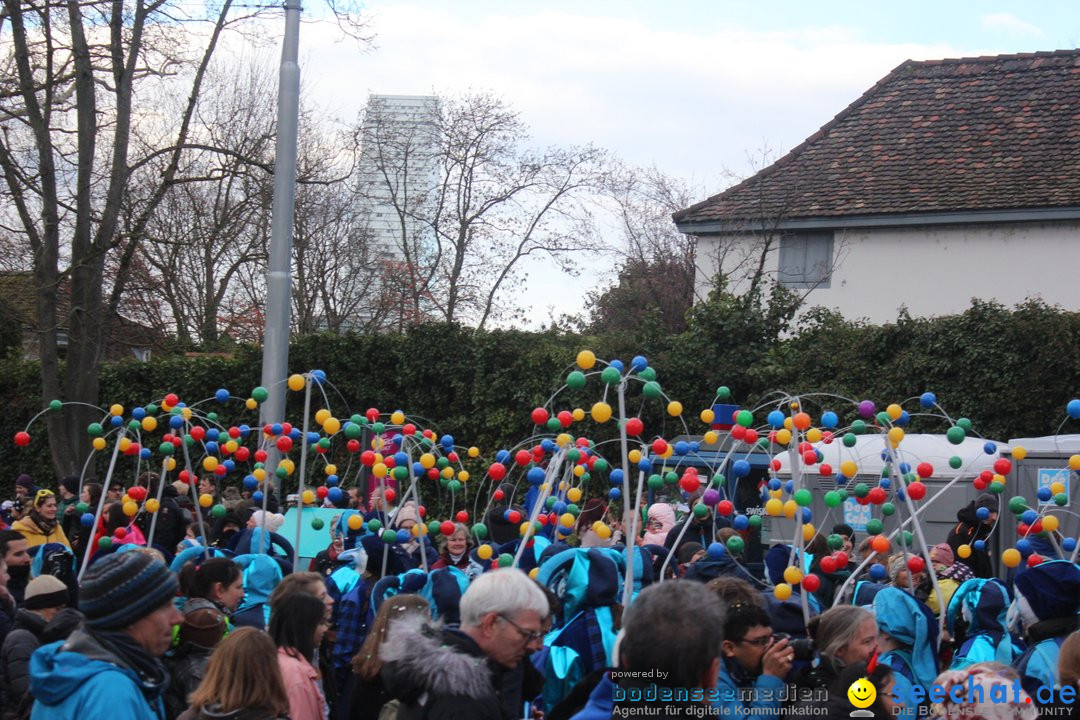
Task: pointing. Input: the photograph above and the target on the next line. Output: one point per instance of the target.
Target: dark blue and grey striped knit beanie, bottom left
(125, 588)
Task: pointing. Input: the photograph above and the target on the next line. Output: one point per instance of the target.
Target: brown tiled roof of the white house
(939, 137)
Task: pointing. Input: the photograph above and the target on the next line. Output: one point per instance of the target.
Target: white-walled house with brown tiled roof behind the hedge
(947, 181)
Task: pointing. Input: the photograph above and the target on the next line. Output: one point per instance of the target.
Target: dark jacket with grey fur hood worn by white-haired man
(440, 674)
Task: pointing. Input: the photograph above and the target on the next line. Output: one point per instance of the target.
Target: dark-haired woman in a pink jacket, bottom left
(298, 626)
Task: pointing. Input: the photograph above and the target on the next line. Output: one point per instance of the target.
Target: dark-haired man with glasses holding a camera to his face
(754, 665)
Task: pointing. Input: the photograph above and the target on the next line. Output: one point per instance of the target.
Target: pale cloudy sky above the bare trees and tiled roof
(693, 87)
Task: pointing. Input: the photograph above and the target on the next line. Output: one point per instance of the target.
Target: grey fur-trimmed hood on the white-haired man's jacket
(421, 659)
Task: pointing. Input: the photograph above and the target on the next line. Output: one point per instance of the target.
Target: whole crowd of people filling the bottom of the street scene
(202, 616)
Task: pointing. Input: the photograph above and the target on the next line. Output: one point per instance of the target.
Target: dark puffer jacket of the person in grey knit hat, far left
(30, 633)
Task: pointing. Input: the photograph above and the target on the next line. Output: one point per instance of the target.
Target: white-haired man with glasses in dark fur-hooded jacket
(472, 671)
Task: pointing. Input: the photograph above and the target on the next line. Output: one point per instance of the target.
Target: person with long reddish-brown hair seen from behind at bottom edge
(242, 682)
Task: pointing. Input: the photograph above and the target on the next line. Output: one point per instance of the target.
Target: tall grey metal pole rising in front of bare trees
(279, 279)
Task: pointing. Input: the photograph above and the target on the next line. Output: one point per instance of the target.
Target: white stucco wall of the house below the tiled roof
(931, 271)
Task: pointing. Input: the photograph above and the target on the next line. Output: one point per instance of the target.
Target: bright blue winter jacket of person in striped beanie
(79, 678)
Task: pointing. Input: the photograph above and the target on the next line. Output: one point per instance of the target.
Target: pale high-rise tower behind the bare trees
(399, 172)
